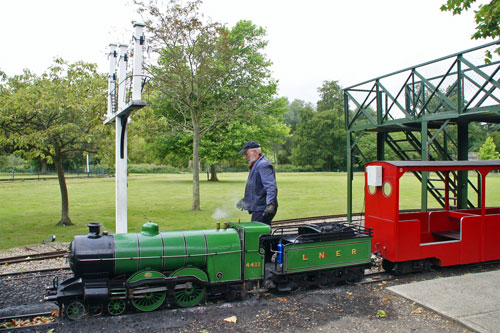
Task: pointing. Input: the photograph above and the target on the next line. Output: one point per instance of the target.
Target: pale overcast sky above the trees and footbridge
(310, 42)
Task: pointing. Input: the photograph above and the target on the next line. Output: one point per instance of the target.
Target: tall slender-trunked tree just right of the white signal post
(206, 75)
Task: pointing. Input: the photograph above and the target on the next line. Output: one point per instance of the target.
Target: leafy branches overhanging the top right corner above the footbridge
(487, 18)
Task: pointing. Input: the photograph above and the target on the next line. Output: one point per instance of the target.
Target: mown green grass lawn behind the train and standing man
(29, 210)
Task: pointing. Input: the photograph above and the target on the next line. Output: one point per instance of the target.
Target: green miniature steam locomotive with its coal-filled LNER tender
(150, 268)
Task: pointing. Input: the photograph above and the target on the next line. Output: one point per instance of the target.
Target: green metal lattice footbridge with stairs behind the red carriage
(423, 112)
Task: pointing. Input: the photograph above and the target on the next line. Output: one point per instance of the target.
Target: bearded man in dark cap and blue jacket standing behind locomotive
(261, 192)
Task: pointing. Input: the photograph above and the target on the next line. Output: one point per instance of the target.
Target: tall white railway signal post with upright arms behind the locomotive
(121, 114)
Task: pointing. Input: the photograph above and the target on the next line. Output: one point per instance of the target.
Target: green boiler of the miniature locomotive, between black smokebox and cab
(168, 251)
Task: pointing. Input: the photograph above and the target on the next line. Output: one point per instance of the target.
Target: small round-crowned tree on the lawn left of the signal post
(55, 115)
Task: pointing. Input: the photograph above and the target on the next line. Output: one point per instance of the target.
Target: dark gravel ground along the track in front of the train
(345, 308)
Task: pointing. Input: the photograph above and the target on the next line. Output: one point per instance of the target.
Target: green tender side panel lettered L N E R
(323, 255)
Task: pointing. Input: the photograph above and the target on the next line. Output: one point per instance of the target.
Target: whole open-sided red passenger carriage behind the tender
(414, 240)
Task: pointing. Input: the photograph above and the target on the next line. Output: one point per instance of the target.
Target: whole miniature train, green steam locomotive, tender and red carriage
(150, 268)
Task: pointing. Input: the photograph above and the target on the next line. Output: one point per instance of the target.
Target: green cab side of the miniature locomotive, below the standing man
(254, 261)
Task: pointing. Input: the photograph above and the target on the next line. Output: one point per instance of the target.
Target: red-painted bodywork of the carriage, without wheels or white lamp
(405, 236)
